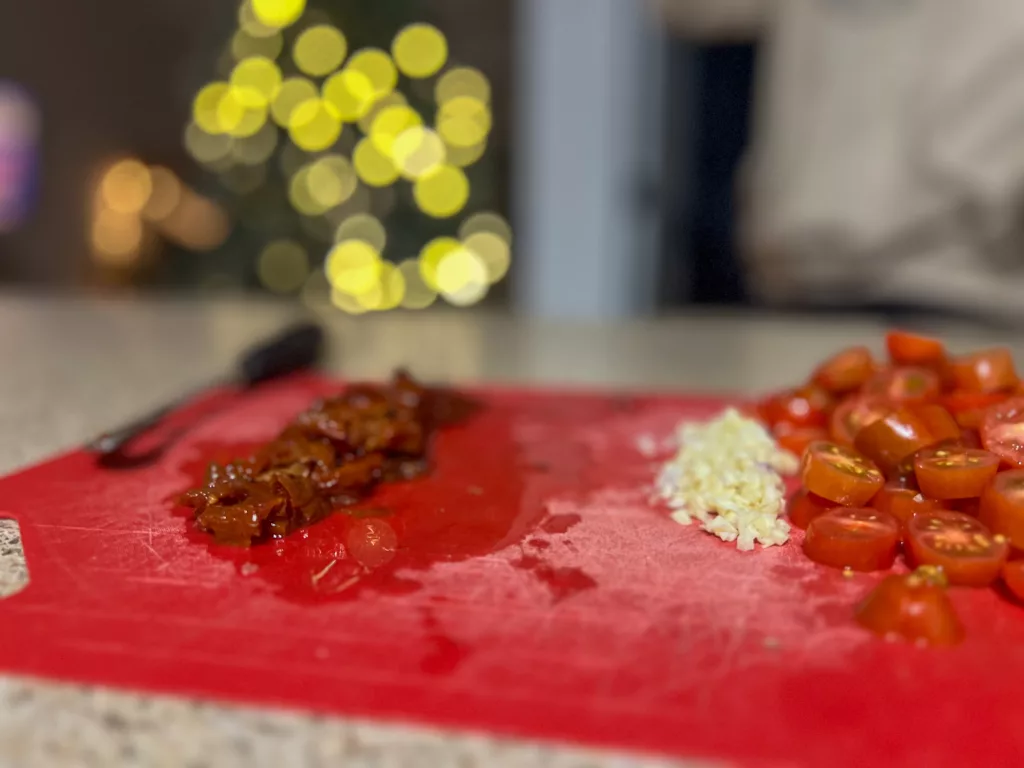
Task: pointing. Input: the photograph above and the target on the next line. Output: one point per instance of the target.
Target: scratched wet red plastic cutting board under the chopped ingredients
(535, 592)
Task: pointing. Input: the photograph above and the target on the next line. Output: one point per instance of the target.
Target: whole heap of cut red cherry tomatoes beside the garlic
(922, 457)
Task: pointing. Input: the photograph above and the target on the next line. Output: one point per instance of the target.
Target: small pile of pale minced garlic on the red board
(728, 477)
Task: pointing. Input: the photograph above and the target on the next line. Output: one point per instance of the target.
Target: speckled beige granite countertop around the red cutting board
(74, 368)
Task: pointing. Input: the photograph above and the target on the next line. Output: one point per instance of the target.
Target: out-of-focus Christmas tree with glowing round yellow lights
(351, 152)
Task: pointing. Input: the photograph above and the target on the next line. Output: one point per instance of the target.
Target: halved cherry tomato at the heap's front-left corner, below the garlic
(851, 538)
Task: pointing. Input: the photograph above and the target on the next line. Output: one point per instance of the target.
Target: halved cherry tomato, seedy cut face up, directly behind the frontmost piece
(967, 551)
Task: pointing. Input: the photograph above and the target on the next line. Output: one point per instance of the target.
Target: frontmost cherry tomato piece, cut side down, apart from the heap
(914, 608)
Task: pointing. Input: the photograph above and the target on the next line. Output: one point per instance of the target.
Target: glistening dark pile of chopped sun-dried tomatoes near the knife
(330, 456)
